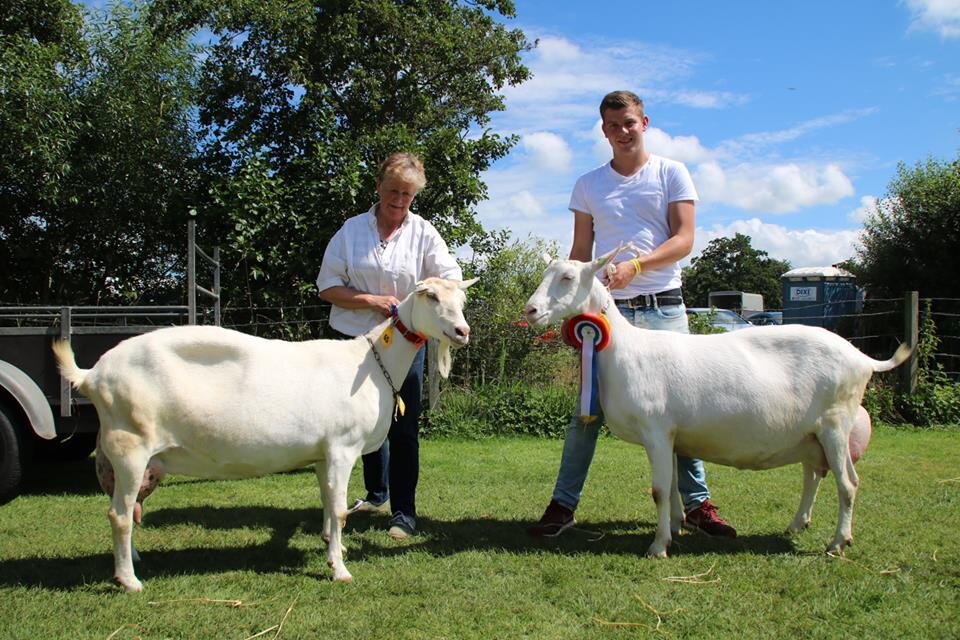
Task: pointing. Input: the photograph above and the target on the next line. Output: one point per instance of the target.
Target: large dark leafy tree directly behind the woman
(301, 99)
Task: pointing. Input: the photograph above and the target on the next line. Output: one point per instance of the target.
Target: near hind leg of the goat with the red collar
(129, 458)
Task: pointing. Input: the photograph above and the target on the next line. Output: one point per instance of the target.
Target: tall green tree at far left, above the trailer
(97, 142)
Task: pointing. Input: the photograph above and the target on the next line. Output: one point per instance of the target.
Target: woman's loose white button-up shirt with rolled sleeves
(355, 259)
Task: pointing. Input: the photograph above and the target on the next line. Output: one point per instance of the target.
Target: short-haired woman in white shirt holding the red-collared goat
(371, 263)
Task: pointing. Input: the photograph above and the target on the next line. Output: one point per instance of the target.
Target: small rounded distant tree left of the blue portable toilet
(731, 264)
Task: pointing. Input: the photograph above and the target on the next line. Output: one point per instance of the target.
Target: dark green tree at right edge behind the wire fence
(910, 241)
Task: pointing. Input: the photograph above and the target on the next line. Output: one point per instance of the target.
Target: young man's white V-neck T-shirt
(634, 209)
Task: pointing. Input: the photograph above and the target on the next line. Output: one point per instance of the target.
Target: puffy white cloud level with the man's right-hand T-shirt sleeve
(771, 188)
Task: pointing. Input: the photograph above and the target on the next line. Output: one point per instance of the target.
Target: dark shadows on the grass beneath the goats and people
(438, 538)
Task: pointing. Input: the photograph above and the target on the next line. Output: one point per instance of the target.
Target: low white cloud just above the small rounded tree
(801, 247)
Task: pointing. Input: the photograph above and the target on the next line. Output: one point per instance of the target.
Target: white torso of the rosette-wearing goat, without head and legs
(707, 389)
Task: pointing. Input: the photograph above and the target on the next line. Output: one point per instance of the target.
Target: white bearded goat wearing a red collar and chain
(215, 403)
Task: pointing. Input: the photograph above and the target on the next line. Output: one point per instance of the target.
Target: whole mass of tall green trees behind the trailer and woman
(114, 128)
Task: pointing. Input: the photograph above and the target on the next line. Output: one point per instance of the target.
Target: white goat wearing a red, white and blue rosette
(755, 399)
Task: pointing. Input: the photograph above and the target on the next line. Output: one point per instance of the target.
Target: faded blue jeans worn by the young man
(581, 439)
